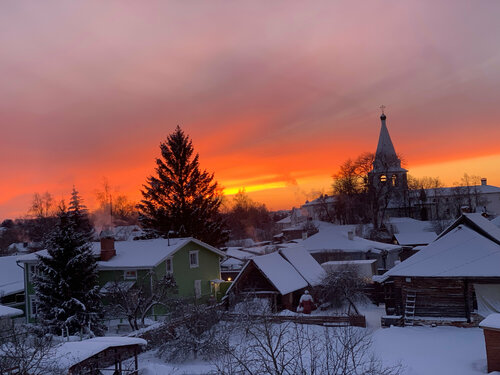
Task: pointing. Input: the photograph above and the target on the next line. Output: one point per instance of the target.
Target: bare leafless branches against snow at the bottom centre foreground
(264, 347)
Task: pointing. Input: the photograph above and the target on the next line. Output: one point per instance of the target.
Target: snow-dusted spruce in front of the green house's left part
(66, 282)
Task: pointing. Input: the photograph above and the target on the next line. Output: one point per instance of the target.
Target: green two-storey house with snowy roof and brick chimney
(194, 265)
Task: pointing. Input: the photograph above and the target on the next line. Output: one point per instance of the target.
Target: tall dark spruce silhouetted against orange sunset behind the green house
(181, 198)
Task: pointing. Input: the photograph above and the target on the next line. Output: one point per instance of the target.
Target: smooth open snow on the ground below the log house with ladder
(433, 351)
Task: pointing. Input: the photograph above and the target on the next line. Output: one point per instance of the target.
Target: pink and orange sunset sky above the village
(275, 95)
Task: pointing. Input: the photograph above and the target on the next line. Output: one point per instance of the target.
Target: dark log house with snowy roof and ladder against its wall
(446, 281)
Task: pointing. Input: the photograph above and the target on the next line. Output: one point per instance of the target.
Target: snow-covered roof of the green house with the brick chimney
(135, 254)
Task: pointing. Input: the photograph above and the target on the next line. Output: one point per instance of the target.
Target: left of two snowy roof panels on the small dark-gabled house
(280, 273)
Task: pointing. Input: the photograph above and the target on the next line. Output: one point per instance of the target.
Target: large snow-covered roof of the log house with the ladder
(462, 252)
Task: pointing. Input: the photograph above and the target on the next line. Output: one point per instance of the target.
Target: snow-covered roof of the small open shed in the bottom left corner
(69, 354)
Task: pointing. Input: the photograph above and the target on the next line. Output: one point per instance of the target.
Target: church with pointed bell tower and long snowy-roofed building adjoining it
(388, 180)
